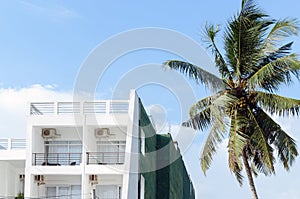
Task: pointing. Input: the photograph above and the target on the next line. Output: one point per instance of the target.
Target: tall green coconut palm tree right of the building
(252, 69)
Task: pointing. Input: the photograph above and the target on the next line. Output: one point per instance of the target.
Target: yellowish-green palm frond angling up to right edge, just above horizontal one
(275, 73)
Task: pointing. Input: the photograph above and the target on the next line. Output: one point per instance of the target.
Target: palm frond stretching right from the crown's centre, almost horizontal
(276, 104)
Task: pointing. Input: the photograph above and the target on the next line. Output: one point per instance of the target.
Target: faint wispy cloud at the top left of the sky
(55, 12)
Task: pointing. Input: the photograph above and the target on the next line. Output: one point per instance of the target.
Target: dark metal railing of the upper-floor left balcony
(56, 159)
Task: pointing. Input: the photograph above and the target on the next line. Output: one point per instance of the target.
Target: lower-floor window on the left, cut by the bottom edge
(64, 192)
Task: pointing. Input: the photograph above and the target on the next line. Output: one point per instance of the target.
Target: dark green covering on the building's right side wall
(171, 181)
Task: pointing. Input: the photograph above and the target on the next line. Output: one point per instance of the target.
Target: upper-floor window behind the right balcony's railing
(111, 152)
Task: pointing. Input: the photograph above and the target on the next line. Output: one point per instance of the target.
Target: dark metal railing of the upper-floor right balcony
(105, 157)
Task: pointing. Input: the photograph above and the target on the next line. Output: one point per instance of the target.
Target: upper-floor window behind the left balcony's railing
(63, 152)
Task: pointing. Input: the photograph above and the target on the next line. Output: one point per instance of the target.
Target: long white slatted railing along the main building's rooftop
(93, 107)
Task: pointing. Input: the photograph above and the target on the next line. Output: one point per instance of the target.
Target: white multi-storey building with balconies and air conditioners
(81, 150)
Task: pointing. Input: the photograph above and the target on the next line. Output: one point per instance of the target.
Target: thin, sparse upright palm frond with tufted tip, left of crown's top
(210, 33)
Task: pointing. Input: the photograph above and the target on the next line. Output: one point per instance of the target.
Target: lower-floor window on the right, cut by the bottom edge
(108, 191)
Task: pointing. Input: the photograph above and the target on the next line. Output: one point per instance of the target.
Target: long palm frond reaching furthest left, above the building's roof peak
(196, 73)
